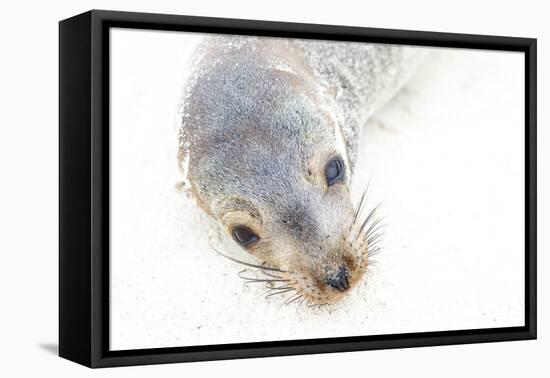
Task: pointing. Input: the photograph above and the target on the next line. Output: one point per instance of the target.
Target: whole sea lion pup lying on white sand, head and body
(268, 141)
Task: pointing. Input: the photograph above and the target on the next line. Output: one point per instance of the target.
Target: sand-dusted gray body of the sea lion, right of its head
(363, 77)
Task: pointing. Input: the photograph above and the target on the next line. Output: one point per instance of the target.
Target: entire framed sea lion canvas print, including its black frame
(233, 188)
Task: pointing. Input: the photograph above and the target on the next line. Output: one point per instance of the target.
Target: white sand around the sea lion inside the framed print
(446, 155)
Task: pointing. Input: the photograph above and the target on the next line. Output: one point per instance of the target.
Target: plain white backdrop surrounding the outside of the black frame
(28, 154)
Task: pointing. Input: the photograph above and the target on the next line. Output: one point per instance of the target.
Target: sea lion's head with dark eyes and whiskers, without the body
(262, 153)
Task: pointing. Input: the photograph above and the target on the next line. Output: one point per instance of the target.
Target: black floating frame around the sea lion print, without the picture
(84, 188)
